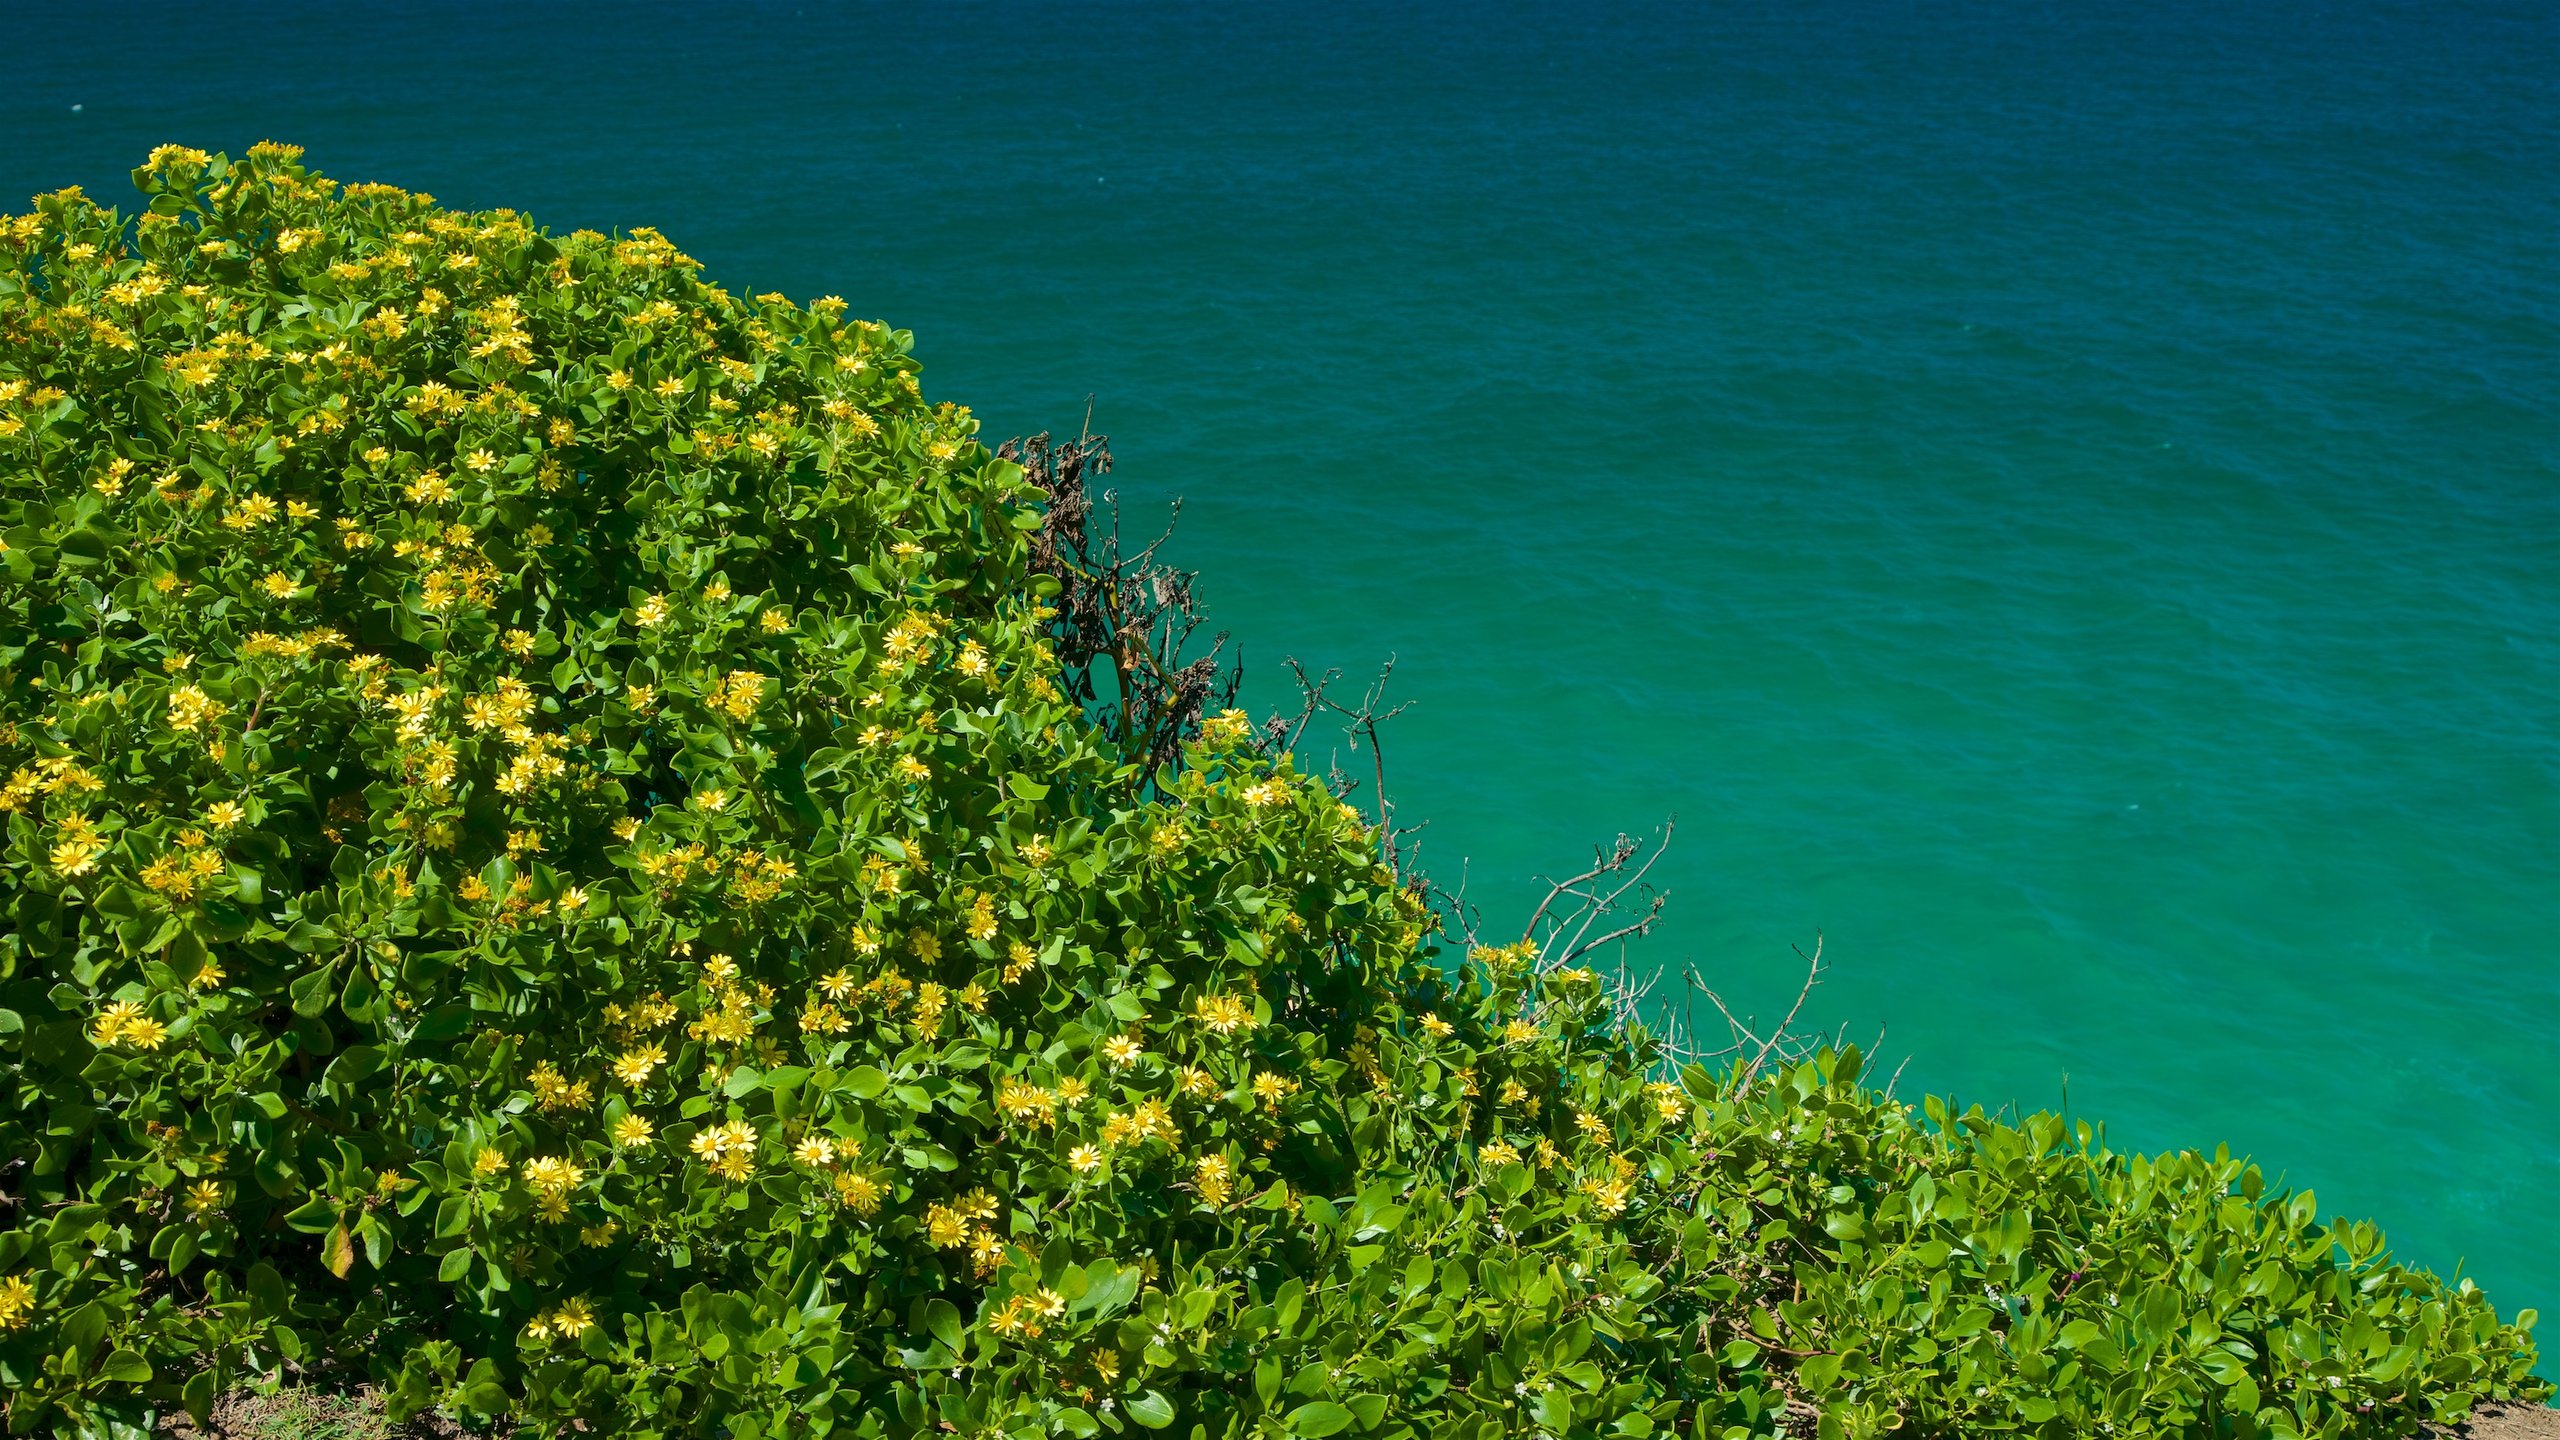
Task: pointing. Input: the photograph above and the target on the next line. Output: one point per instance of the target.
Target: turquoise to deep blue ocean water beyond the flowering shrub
(2060, 501)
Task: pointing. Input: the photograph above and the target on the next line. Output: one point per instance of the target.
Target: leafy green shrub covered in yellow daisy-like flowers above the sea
(552, 865)
